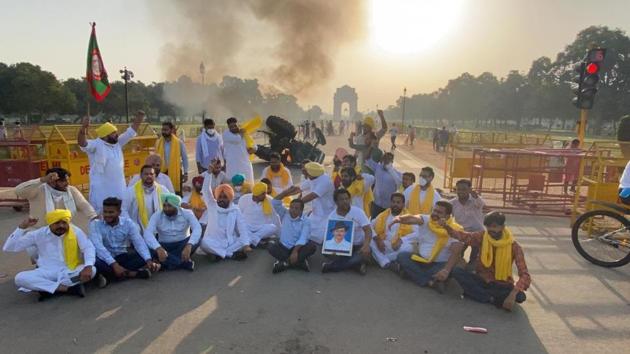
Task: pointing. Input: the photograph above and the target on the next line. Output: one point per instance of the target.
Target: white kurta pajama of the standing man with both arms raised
(107, 170)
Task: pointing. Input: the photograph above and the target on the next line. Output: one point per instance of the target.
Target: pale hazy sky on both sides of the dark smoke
(485, 35)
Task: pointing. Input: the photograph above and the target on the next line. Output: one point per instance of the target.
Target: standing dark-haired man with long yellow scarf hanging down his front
(172, 150)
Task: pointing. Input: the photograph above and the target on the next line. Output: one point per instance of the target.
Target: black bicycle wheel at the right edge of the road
(603, 238)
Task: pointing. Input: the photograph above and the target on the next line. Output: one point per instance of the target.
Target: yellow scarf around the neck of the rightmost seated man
(500, 251)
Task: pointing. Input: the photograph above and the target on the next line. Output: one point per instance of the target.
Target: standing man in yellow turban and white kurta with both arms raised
(107, 173)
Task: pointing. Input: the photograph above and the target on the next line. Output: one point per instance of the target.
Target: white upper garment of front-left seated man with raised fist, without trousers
(49, 246)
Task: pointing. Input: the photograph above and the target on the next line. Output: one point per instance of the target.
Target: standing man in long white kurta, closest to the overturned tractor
(236, 153)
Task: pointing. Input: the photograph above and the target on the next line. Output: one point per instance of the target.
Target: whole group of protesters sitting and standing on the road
(157, 221)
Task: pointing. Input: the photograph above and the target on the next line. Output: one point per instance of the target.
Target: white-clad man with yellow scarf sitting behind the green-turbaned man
(150, 203)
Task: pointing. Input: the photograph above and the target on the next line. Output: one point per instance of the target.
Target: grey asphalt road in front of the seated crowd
(240, 307)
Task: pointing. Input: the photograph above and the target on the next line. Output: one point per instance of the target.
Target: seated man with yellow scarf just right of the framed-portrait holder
(389, 242)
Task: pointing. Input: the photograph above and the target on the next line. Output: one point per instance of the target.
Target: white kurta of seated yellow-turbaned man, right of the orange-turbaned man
(260, 226)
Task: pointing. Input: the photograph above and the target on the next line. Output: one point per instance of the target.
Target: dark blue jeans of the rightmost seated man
(477, 289)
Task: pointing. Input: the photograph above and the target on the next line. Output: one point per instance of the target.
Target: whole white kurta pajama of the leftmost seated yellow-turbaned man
(52, 270)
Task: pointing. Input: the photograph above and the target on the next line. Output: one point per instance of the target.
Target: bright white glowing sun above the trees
(409, 26)
